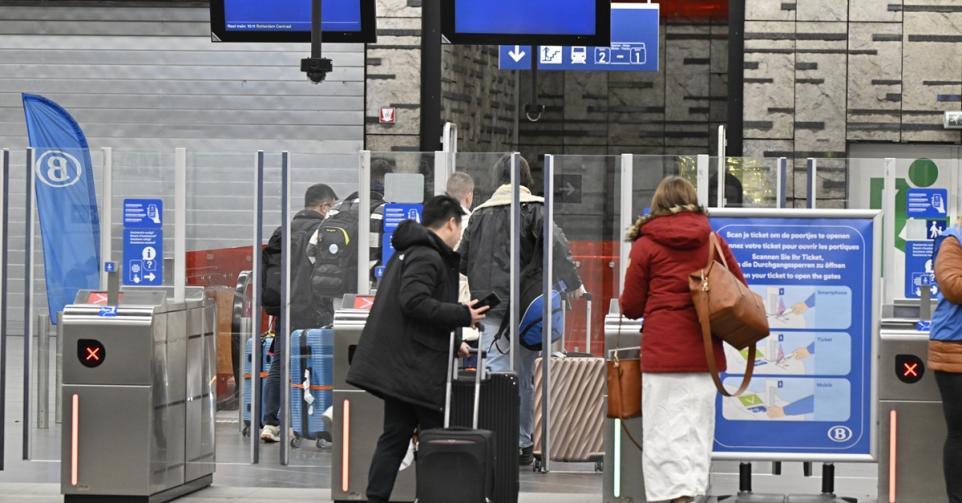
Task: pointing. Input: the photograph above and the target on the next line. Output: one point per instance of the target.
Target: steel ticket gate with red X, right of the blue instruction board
(912, 427)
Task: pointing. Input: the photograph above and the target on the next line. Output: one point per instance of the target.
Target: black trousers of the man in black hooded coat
(401, 419)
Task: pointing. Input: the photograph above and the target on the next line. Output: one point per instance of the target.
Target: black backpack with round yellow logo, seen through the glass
(334, 250)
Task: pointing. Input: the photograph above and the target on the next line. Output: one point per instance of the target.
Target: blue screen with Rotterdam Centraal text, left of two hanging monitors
(290, 15)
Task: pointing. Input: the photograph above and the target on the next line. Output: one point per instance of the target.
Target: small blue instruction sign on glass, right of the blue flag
(143, 242)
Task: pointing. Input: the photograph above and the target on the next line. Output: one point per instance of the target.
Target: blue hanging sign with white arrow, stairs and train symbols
(634, 46)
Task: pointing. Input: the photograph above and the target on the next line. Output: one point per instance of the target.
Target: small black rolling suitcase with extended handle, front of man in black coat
(456, 464)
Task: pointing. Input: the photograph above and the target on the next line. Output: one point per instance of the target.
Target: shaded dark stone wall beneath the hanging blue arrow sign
(674, 111)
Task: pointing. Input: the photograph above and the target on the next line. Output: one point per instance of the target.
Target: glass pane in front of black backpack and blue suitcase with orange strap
(323, 271)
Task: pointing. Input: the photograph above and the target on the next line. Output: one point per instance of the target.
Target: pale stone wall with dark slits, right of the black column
(821, 74)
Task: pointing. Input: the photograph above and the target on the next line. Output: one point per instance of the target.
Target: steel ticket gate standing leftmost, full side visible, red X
(138, 404)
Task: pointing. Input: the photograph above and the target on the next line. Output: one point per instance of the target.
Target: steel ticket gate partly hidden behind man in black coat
(358, 417)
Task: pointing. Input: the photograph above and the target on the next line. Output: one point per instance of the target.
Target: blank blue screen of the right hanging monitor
(526, 17)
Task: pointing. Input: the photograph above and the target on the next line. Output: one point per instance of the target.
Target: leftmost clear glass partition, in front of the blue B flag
(72, 250)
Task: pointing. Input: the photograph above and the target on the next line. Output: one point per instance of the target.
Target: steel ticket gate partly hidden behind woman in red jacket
(622, 472)
